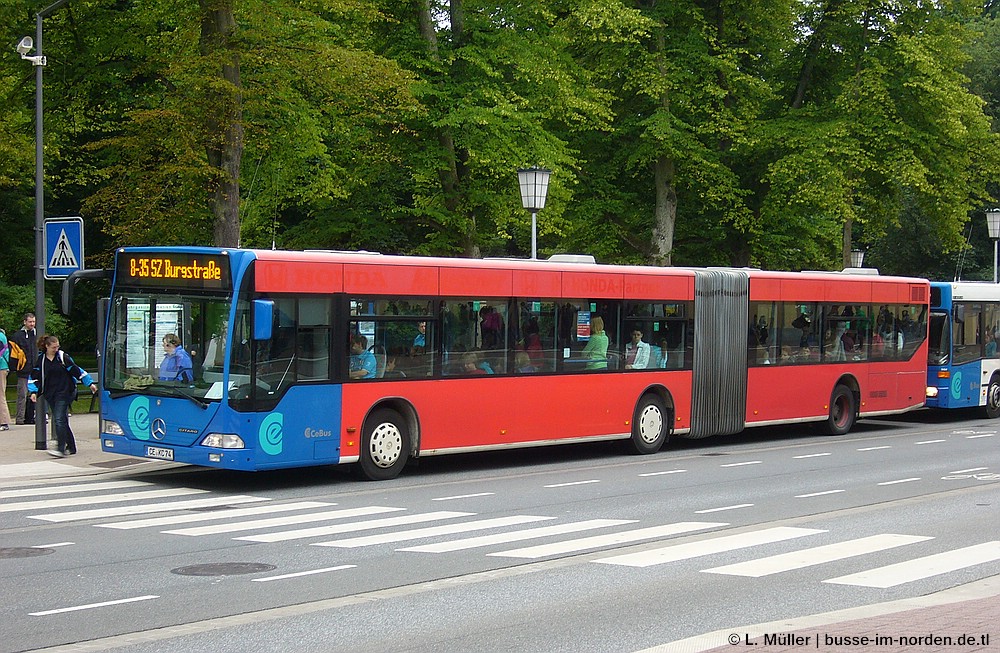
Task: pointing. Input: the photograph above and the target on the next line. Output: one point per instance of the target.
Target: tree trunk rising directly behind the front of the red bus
(224, 122)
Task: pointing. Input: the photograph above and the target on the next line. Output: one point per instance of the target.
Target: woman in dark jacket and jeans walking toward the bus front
(55, 377)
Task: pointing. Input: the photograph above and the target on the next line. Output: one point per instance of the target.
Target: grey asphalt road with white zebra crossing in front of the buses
(576, 548)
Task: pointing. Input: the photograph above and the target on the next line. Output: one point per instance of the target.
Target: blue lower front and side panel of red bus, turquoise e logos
(302, 430)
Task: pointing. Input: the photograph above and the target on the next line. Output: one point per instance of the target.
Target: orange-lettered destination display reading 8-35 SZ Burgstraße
(174, 269)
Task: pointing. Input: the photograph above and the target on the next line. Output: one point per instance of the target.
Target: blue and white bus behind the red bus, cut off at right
(963, 364)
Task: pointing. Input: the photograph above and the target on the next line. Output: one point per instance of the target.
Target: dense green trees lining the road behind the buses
(772, 133)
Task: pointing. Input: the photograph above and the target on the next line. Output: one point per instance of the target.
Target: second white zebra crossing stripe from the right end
(815, 556)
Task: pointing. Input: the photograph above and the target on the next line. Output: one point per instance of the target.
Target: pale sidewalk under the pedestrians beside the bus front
(20, 459)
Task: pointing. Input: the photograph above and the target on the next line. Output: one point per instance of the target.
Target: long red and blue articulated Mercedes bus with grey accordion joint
(290, 359)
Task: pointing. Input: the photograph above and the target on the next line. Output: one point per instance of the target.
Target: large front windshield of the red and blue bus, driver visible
(166, 344)
